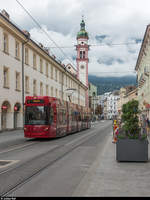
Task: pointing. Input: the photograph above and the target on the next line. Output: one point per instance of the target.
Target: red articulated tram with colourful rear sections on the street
(49, 117)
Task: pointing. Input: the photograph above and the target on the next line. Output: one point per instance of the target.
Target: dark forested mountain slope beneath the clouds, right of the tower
(109, 84)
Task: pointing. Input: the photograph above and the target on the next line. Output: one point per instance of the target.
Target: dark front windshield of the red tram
(36, 115)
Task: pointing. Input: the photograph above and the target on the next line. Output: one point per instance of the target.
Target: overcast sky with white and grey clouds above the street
(107, 22)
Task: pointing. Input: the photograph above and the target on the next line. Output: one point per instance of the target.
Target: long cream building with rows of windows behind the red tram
(22, 58)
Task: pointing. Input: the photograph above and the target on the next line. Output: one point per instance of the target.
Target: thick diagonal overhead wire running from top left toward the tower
(44, 31)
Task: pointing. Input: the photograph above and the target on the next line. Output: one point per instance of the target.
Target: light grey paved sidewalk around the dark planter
(107, 177)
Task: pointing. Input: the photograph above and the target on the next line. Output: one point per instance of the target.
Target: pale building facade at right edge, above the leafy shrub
(143, 74)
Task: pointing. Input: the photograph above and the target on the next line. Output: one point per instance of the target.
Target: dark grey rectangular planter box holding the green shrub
(132, 150)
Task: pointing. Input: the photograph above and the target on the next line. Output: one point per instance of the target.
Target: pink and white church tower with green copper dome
(82, 48)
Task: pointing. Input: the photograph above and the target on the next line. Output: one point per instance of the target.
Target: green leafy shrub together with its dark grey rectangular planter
(131, 145)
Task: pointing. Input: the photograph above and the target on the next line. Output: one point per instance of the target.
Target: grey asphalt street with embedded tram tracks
(49, 167)
